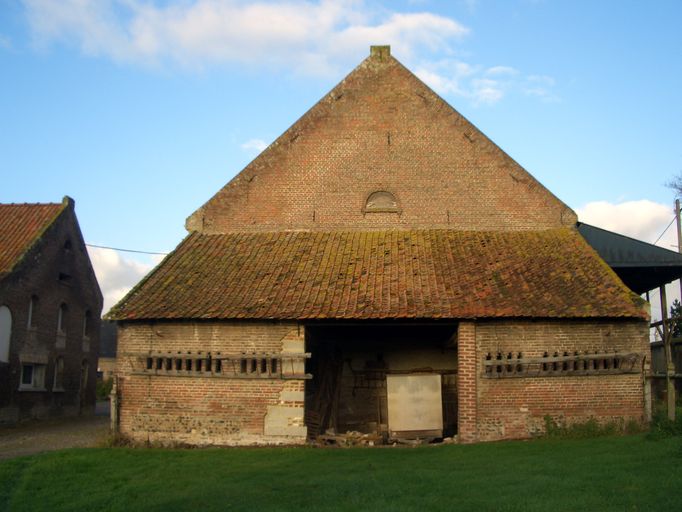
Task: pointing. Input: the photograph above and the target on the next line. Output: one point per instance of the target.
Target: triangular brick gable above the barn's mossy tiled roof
(382, 130)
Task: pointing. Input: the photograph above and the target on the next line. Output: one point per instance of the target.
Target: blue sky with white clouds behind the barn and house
(142, 110)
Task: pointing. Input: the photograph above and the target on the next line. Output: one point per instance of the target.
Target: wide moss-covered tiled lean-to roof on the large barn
(381, 274)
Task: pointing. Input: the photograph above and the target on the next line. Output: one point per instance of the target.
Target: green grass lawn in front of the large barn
(606, 473)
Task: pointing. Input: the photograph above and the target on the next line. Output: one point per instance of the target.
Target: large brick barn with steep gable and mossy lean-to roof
(382, 267)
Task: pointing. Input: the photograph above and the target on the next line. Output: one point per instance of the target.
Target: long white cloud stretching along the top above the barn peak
(314, 37)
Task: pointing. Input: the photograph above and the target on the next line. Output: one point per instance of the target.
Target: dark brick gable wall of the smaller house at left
(39, 276)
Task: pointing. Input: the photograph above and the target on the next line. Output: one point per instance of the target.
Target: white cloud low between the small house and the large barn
(117, 274)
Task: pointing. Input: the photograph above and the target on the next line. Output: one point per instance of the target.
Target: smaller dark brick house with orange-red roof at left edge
(50, 307)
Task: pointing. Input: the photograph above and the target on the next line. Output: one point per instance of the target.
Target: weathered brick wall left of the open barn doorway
(210, 408)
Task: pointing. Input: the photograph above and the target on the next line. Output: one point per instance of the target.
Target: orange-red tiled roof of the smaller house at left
(21, 225)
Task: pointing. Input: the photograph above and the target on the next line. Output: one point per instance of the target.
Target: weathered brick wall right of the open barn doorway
(516, 407)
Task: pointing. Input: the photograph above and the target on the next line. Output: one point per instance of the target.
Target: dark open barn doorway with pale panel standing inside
(394, 381)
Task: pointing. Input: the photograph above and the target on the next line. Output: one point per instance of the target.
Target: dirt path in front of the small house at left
(54, 434)
